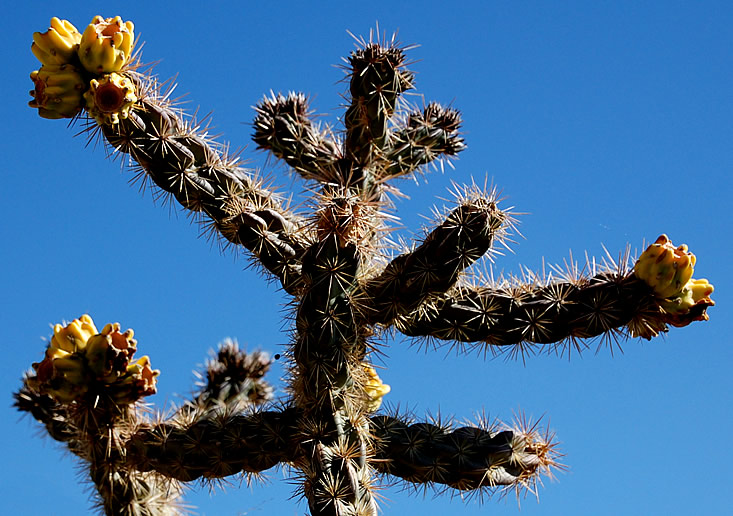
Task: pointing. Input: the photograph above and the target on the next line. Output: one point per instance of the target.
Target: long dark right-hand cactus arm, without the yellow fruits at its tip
(606, 303)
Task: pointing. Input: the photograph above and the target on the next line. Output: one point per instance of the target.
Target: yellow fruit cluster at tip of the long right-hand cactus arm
(668, 271)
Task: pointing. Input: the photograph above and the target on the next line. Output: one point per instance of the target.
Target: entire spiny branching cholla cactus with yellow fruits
(345, 292)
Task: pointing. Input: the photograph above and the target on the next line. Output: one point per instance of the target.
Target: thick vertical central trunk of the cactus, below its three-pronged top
(328, 354)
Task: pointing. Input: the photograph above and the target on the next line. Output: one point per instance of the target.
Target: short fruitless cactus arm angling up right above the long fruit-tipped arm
(433, 267)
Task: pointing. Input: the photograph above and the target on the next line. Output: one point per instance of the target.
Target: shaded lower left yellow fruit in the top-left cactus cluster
(58, 91)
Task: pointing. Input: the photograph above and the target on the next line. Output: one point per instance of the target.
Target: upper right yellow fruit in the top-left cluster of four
(106, 44)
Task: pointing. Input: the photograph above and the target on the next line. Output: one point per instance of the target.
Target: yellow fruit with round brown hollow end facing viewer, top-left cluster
(110, 98)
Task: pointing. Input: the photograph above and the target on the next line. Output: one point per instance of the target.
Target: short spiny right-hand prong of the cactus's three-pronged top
(428, 135)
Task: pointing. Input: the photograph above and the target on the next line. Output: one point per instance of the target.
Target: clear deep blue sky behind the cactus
(606, 122)
